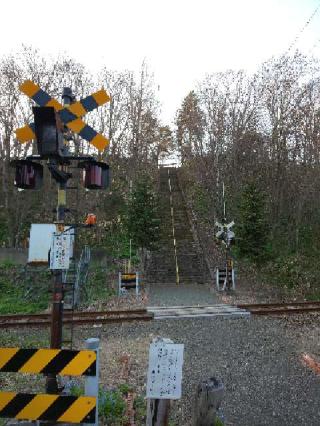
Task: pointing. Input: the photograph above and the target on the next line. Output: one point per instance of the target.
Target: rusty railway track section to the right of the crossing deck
(281, 308)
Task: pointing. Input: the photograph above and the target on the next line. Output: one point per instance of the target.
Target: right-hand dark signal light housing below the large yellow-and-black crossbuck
(96, 174)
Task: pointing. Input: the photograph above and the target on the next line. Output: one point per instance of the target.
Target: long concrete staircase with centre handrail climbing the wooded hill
(177, 246)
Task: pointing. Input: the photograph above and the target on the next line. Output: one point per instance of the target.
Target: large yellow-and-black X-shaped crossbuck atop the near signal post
(70, 115)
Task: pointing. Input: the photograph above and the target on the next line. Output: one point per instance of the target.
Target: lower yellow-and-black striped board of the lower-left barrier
(58, 408)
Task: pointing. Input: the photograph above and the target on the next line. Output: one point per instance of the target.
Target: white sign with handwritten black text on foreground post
(165, 370)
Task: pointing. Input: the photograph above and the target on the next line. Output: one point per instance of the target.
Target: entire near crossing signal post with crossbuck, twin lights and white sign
(51, 121)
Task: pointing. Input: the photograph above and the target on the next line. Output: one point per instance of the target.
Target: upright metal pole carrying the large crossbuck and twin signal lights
(58, 287)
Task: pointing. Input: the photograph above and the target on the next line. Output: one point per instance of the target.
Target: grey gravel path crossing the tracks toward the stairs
(258, 359)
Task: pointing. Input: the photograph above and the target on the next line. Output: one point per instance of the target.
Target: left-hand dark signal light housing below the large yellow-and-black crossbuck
(28, 175)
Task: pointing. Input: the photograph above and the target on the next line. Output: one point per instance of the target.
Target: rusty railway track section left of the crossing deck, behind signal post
(77, 318)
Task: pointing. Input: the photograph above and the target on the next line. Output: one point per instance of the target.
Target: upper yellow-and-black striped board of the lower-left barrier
(48, 361)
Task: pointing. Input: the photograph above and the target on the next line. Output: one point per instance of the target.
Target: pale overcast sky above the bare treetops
(181, 40)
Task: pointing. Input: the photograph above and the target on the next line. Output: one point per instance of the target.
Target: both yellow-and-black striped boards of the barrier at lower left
(45, 407)
